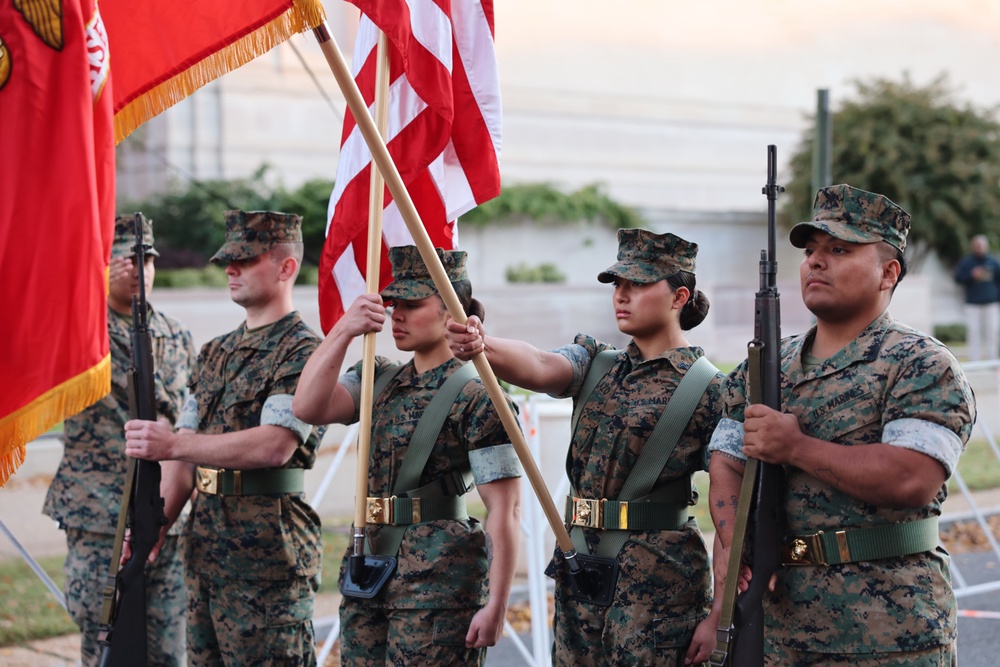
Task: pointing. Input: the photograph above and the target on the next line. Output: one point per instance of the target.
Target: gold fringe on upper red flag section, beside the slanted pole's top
(302, 15)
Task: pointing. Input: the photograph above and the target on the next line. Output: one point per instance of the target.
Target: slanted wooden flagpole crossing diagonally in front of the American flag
(394, 182)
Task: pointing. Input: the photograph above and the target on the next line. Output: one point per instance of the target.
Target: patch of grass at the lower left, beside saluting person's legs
(27, 609)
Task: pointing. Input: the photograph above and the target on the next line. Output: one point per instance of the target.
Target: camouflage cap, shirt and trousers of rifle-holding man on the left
(252, 562)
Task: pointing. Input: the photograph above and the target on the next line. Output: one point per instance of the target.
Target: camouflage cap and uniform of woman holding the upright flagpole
(423, 613)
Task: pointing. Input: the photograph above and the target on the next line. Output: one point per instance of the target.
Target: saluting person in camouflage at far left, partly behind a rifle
(86, 492)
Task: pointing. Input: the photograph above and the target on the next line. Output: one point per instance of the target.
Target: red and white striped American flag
(443, 134)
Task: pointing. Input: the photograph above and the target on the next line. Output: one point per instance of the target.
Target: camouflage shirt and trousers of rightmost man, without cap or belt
(872, 391)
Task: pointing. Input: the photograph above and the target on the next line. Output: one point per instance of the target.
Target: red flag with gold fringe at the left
(59, 122)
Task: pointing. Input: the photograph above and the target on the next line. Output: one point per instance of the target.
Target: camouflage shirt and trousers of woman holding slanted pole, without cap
(664, 584)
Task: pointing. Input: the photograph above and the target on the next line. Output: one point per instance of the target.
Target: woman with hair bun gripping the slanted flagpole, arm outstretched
(663, 590)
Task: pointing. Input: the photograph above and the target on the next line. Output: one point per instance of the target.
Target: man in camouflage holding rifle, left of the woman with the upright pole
(252, 556)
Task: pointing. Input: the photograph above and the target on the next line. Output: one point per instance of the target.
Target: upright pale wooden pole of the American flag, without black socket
(375, 206)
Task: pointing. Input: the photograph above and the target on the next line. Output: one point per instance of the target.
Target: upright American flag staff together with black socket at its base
(366, 574)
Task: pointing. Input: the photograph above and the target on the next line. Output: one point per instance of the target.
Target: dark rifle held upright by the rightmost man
(760, 519)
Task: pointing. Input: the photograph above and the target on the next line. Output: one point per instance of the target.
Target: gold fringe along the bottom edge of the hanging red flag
(69, 398)
